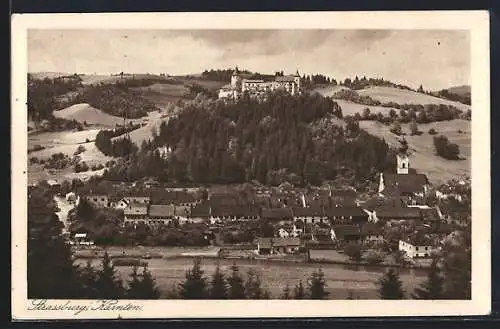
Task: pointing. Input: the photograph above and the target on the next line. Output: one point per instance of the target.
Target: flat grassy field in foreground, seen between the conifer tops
(275, 276)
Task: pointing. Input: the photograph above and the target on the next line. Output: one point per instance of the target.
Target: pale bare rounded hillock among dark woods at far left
(85, 113)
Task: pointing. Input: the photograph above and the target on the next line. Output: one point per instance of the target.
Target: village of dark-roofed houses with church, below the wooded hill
(405, 223)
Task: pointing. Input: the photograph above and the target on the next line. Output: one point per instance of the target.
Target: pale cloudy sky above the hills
(435, 59)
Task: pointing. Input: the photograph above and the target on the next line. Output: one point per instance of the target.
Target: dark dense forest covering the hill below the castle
(296, 139)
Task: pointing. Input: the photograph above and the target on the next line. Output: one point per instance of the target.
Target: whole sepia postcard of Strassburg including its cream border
(223, 162)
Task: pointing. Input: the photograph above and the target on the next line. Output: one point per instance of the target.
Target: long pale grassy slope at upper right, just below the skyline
(402, 96)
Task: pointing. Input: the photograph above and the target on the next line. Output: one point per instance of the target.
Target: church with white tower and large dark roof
(405, 182)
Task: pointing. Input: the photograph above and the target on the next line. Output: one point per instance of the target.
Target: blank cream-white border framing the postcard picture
(477, 22)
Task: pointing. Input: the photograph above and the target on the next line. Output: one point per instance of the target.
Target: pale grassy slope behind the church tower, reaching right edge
(423, 157)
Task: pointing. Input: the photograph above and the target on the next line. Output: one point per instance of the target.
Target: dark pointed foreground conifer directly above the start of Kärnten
(108, 285)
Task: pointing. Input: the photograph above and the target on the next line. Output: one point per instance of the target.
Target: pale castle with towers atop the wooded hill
(258, 88)
